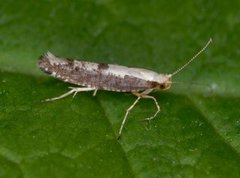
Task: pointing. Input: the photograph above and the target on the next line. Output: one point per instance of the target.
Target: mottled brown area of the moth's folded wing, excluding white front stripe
(90, 74)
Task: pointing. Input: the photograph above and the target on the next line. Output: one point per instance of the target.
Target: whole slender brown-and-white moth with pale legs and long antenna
(100, 76)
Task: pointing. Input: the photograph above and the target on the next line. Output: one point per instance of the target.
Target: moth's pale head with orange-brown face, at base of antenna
(164, 82)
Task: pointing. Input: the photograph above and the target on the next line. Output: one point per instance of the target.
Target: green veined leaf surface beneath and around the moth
(196, 134)
